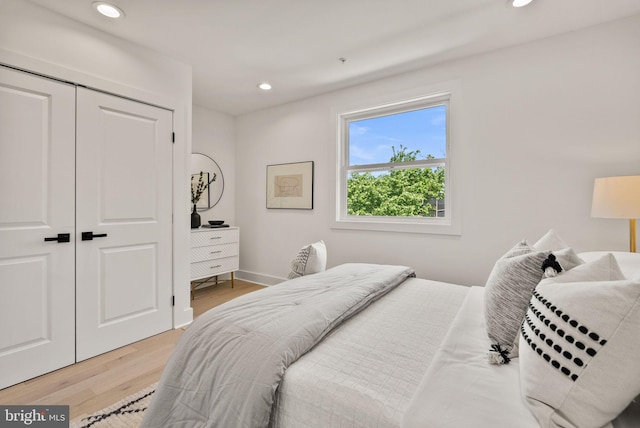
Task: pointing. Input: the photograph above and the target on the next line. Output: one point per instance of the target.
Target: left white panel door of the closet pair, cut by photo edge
(37, 154)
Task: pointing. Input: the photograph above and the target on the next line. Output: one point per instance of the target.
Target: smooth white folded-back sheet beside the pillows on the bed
(461, 389)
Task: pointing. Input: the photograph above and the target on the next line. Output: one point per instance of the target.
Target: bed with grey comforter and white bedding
(397, 351)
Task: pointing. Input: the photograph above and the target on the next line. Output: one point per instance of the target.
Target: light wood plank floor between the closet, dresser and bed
(93, 384)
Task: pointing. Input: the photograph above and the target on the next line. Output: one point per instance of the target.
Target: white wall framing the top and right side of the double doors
(34, 39)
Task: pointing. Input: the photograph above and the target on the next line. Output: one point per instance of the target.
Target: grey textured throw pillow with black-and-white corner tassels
(507, 293)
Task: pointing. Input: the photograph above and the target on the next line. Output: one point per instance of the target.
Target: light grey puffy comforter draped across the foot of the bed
(226, 367)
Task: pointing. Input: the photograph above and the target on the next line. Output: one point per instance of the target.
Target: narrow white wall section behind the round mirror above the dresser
(214, 136)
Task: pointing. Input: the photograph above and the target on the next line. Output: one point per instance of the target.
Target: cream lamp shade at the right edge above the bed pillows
(616, 197)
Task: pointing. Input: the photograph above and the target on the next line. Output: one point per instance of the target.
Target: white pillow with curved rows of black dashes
(579, 347)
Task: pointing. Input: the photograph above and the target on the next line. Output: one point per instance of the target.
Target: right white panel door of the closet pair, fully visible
(124, 198)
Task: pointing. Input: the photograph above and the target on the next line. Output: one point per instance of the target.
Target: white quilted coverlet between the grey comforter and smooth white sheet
(365, 373)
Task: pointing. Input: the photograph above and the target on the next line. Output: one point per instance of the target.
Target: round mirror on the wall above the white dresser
(211, 182)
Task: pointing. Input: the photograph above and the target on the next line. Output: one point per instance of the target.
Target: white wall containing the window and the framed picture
(538, 123)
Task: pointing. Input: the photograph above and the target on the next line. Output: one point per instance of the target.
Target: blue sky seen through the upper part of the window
(370, 140)
